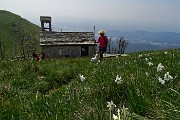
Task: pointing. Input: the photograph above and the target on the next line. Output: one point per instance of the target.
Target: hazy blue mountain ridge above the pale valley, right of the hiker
(159, 37)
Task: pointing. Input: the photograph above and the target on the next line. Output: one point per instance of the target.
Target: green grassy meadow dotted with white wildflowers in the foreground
(140, 86)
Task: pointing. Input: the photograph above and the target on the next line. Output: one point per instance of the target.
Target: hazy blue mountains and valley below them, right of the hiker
(144, 41)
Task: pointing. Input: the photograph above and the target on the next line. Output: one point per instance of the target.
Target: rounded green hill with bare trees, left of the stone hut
(18, 37)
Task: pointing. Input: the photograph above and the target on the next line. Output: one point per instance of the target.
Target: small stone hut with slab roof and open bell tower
(66, 44)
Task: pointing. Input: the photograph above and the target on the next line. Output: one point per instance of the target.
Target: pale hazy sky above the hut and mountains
(150, 15)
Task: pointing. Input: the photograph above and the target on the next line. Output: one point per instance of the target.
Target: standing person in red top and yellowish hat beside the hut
(102, 40)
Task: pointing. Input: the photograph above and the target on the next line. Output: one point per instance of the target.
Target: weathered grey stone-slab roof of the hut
(65, 38)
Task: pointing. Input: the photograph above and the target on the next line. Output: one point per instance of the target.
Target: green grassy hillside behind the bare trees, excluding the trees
(8, 37)
